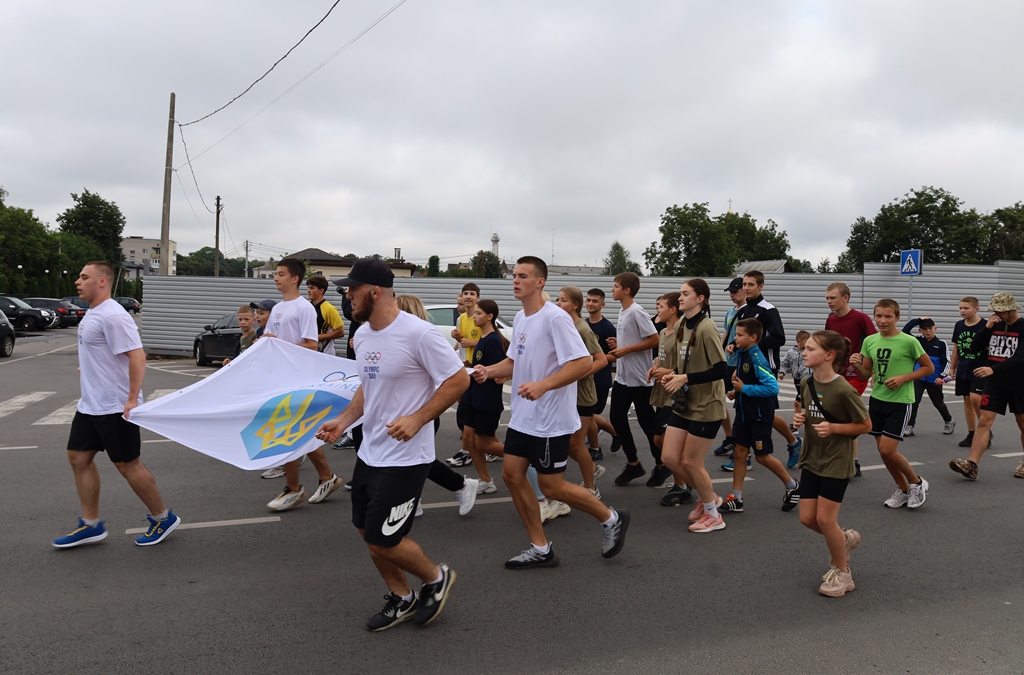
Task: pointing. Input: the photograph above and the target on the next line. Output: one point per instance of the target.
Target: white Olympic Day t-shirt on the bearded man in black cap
(401, 367)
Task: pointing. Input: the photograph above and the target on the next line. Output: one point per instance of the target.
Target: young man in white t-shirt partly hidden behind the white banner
(294, 320)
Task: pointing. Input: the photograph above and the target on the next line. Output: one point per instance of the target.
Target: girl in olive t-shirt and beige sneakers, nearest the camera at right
(835, 415)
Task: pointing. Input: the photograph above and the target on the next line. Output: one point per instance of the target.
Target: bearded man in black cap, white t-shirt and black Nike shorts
(409, 376)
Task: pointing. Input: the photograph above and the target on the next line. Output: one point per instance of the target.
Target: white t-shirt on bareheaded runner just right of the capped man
(542, 344)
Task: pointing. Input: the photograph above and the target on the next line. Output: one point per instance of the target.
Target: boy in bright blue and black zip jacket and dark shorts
(755, 395)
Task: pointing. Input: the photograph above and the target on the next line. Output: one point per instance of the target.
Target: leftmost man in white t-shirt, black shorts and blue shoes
(112, 366)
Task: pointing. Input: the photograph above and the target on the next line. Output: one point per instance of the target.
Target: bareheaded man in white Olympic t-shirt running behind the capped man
(545, 360)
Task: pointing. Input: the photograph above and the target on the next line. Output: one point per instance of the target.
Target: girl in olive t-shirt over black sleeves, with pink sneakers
(699, 402)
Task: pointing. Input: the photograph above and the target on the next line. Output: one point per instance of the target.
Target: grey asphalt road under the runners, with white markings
(938, 590)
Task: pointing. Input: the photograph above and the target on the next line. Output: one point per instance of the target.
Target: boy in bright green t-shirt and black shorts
(888, 357)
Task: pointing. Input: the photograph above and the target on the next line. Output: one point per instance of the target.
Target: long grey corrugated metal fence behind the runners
(177, 309)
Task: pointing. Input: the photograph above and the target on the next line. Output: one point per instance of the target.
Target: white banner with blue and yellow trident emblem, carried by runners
(260, 411)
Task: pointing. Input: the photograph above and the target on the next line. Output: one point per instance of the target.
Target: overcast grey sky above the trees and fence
(559, 125)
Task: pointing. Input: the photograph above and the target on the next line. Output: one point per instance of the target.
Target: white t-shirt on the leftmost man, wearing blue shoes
(105, 336)
